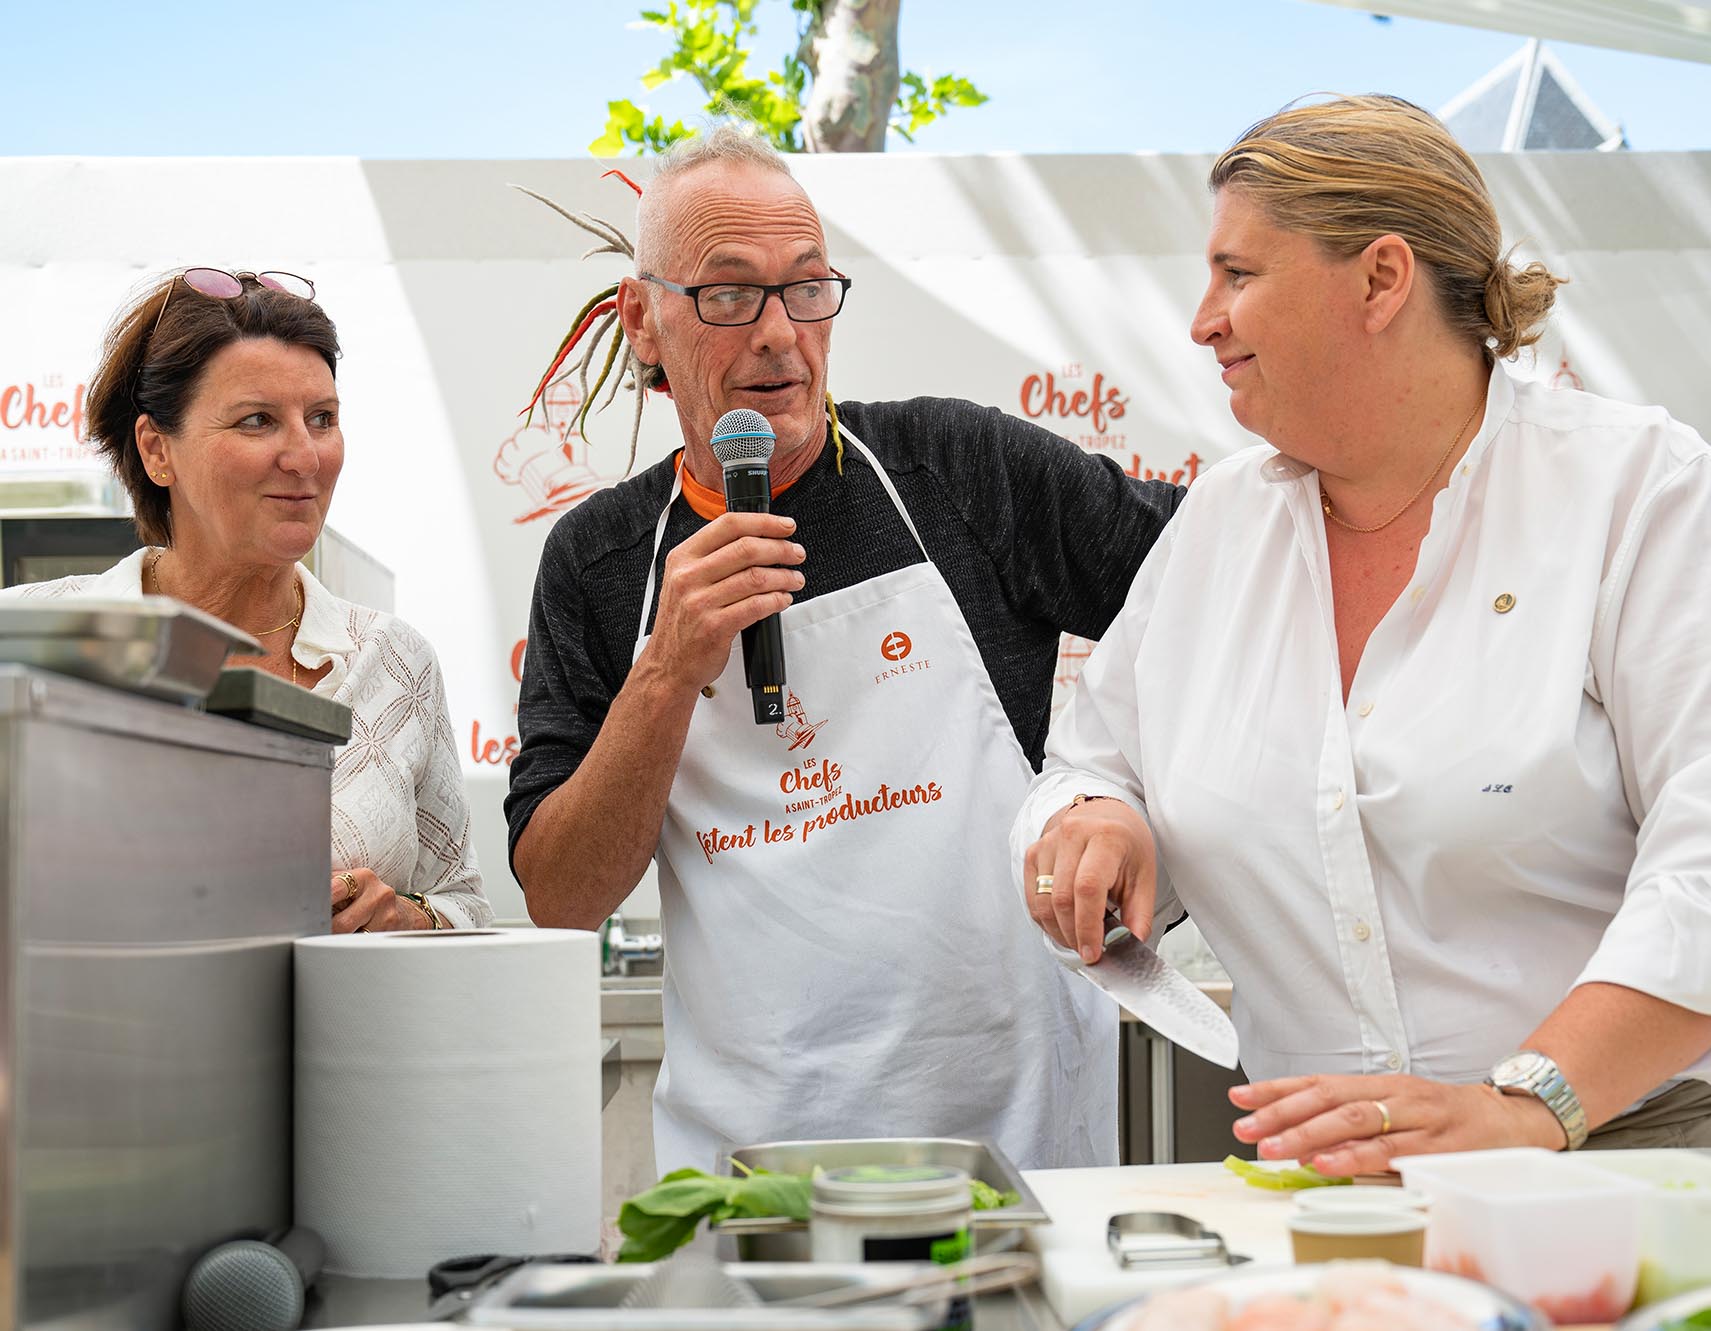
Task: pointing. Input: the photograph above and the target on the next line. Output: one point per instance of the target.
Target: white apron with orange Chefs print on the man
(846, 954)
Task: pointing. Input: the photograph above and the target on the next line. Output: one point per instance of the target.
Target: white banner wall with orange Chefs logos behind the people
(1055, 288)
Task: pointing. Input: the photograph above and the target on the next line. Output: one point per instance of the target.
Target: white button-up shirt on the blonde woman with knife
(1517, 796)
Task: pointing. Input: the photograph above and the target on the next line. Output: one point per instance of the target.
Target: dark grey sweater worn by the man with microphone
(1034, 536)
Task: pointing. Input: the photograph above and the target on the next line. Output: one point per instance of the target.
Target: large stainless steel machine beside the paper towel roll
(155, 867)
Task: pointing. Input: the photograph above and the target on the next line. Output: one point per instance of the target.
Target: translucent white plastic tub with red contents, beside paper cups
(1546, 1227)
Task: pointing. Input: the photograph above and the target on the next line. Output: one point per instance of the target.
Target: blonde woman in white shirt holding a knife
(1435, 776)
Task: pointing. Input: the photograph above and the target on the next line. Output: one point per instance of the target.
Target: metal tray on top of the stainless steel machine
(155, 646)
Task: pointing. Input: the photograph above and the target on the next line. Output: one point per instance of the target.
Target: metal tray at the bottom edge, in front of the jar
(545, 1298)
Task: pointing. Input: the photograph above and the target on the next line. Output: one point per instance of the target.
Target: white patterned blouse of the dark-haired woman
(398, 790)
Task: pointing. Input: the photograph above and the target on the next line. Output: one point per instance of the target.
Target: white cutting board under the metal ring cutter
(1077, 1272)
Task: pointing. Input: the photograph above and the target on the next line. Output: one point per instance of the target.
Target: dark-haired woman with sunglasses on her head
(216, 406)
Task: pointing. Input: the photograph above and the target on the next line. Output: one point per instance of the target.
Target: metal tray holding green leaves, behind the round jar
(781, 1239)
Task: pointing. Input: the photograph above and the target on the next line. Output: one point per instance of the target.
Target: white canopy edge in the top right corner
(1669, 28)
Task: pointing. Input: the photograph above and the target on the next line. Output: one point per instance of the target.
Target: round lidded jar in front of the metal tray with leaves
(894, 1214)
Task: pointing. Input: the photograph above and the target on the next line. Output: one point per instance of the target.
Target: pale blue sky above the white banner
(531, 78)
